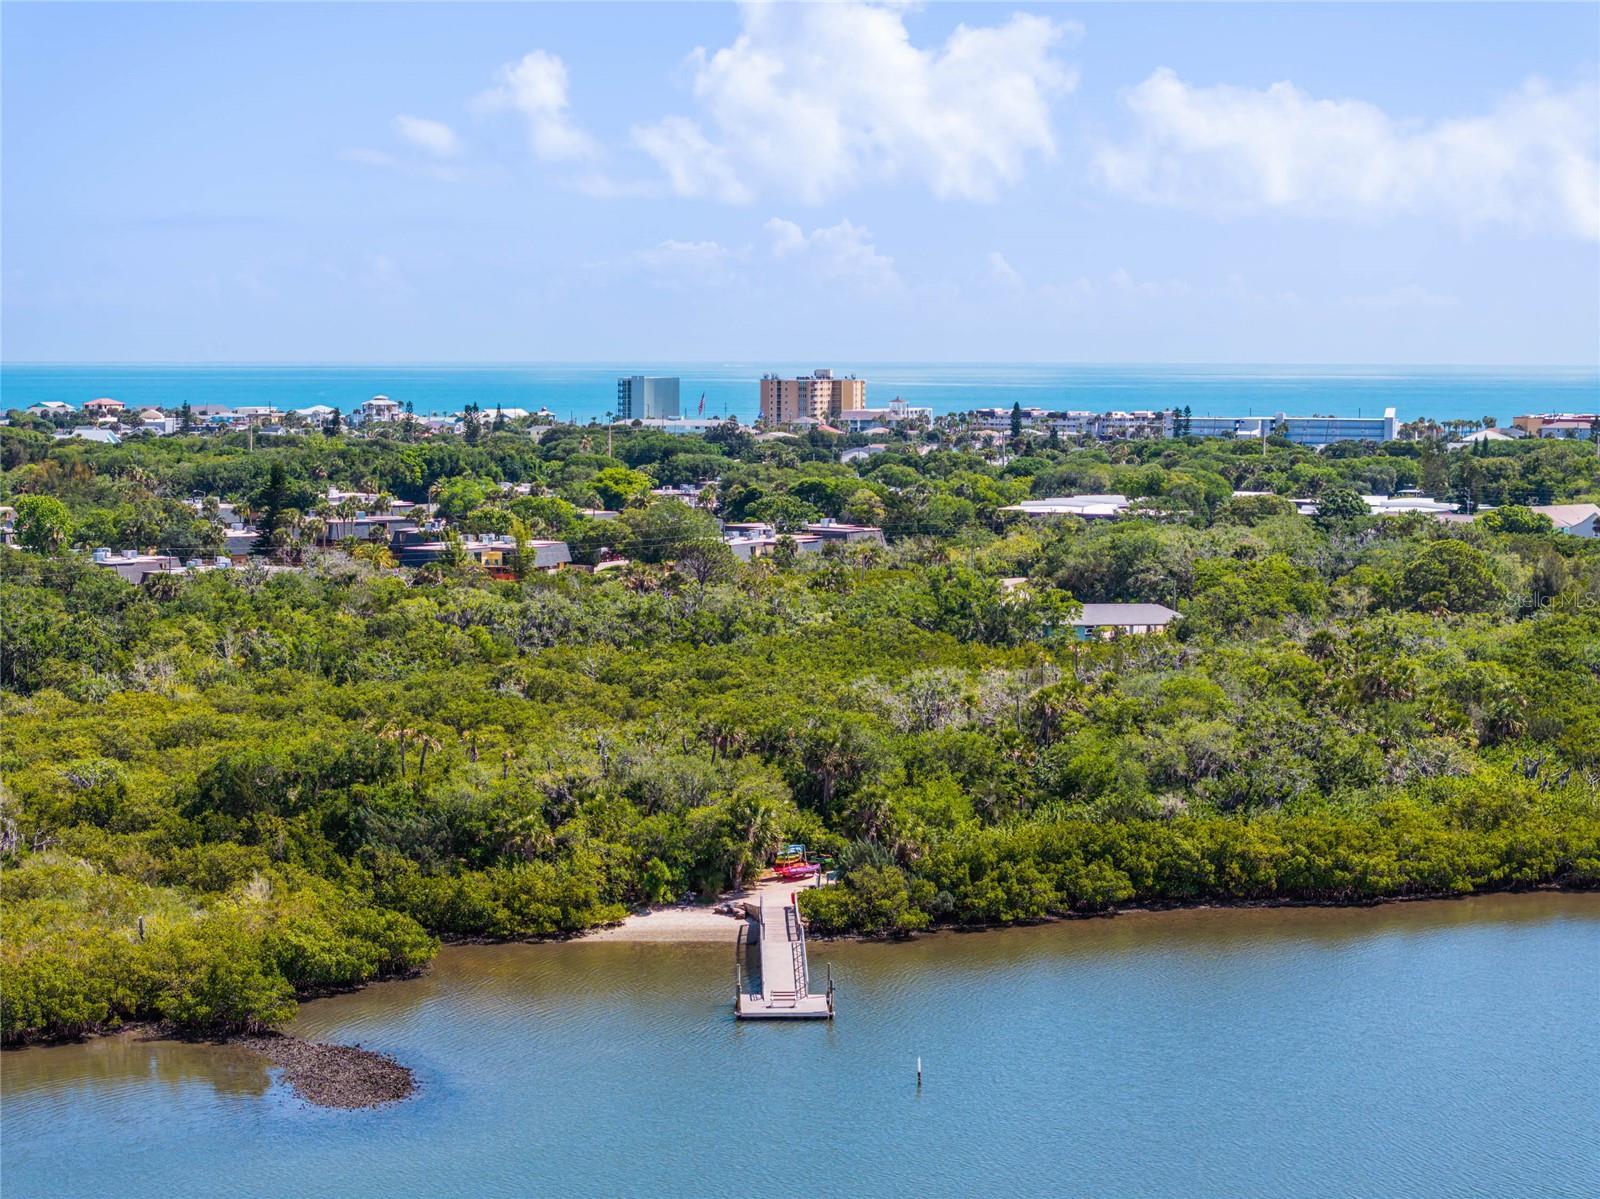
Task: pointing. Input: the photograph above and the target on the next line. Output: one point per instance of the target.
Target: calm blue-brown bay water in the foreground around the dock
(1442, 1049)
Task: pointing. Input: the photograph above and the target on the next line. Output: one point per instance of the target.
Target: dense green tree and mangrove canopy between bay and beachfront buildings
(302, 779)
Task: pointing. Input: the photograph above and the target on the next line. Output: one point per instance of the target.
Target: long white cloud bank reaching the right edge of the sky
(1530, 162)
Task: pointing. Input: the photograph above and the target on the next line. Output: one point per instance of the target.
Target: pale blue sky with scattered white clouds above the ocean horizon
(433, 183)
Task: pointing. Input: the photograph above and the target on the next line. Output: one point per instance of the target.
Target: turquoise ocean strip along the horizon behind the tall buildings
(582, 391)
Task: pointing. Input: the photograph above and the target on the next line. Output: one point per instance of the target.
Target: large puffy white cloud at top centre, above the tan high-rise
(814, 100)
